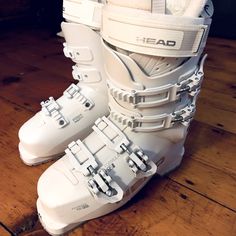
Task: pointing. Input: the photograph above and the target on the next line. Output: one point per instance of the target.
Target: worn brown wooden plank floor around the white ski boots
(197, 199)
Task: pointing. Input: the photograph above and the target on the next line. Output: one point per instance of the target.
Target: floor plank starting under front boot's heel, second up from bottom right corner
(208, 181)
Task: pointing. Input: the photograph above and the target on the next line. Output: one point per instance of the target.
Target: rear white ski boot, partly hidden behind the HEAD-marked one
(46, 135)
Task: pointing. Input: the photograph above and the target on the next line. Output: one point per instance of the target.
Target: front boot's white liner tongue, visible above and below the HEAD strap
(152, 65)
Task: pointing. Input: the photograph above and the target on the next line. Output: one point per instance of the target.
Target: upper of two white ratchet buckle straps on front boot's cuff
(161, 95)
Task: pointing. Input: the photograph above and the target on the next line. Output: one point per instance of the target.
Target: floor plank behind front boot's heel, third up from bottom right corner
(214, 147)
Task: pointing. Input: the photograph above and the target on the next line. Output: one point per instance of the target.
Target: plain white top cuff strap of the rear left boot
(84, 12)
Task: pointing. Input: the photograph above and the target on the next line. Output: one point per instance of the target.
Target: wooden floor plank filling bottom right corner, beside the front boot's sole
(165, 208)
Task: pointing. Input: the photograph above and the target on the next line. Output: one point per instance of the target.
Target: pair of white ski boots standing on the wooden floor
(145, 70)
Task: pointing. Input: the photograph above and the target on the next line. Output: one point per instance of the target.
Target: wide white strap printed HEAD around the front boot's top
(154, 34)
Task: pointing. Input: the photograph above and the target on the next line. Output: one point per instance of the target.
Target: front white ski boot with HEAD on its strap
(152, 99)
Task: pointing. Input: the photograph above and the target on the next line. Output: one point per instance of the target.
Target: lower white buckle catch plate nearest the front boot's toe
(82, 158)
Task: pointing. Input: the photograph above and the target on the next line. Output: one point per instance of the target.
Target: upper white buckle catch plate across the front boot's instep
(114, 143)
